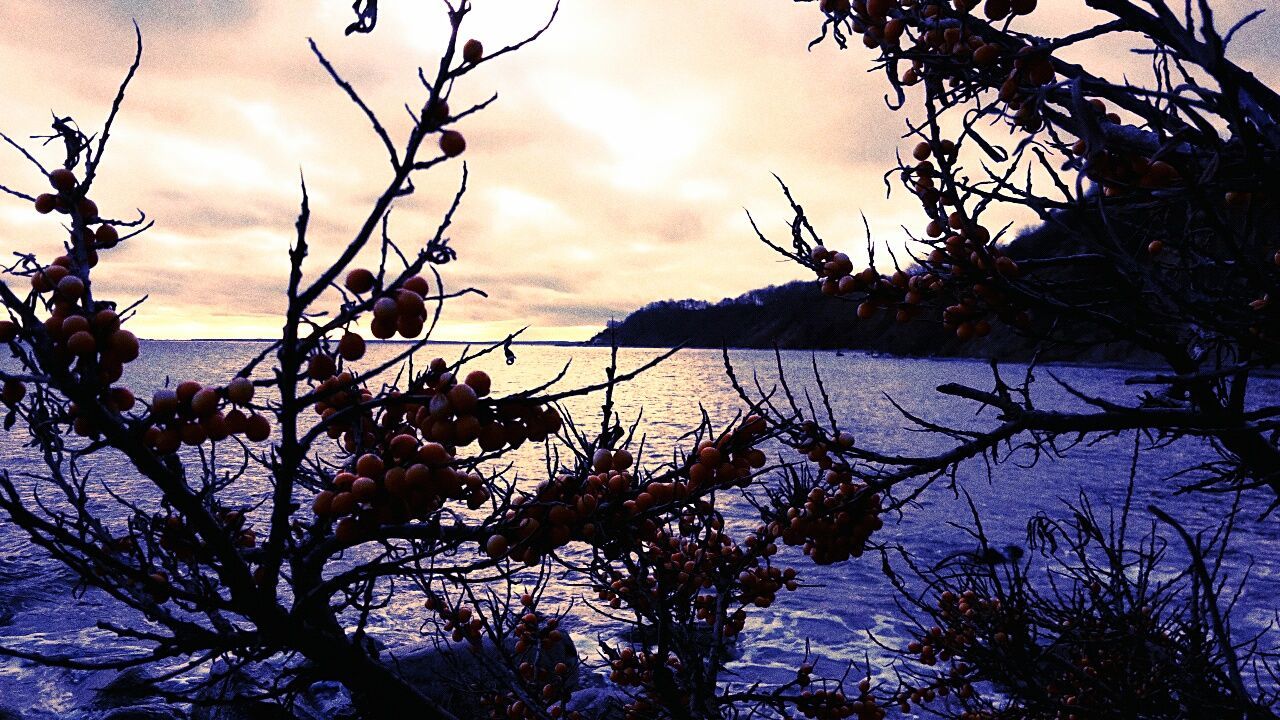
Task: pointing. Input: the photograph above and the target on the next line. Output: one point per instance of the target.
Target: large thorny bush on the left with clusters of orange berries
(269, 517)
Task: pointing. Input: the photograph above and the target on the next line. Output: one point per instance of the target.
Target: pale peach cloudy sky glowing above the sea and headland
(616, 168)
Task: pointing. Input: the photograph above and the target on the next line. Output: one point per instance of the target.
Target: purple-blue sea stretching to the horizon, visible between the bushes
(843, 614)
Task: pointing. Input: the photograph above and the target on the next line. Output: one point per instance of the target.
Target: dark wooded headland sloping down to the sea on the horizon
(797, 316)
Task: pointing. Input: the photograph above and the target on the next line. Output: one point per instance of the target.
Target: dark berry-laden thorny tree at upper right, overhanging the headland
(1168, 207)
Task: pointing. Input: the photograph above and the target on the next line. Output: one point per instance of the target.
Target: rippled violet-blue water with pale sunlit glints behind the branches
(834, 612)
